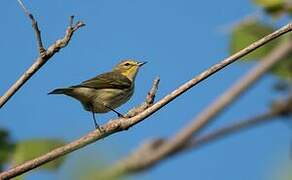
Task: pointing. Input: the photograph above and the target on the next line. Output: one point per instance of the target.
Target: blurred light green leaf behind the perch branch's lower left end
(29, 149)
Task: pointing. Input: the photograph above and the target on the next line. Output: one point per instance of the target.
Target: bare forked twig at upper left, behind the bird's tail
(44, 55)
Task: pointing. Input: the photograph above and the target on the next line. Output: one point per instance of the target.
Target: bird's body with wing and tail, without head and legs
(109, 89)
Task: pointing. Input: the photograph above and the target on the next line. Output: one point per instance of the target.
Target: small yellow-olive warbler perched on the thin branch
(106, 91)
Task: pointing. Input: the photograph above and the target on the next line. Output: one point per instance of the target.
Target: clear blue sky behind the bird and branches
(179, 39)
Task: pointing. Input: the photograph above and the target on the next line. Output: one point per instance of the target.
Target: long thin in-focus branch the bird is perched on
(122, 124)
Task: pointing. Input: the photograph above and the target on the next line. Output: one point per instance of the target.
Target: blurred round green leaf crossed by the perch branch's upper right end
(248, 32)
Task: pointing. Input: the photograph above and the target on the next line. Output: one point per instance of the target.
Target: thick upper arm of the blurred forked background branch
(204, 118)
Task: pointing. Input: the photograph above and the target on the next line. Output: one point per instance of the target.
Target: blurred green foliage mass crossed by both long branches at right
(248, 32)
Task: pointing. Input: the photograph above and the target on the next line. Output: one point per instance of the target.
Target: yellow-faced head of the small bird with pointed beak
(129, 68)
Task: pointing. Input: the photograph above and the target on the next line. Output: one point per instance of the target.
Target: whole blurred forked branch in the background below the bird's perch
(150, 150)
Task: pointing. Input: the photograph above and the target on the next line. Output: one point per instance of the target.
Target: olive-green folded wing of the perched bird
(110, 80)
